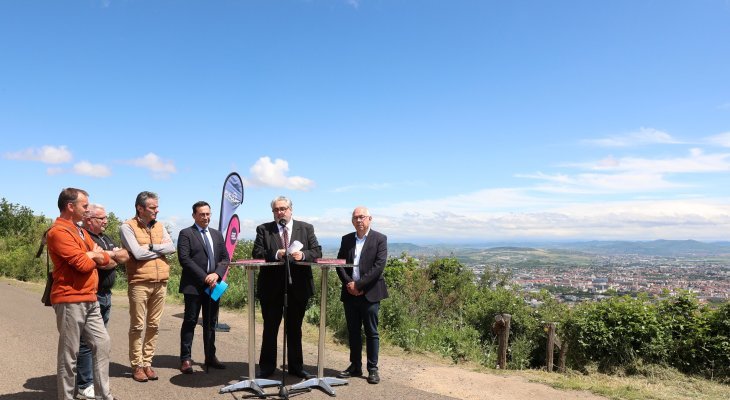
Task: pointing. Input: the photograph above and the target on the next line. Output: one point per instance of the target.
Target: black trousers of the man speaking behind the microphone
(272, 311)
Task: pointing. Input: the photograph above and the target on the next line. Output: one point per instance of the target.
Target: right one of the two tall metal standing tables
(321, 381)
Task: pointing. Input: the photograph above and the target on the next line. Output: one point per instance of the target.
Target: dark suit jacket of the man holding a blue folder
(193, 258)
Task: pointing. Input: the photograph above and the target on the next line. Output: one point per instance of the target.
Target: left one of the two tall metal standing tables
(253, 384)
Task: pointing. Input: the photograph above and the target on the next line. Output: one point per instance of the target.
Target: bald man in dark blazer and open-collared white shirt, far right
(362, 289)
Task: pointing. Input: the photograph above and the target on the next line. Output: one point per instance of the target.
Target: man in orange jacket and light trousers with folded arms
(76, 258)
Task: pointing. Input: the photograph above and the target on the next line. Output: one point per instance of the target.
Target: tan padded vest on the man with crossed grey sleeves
(155, 270)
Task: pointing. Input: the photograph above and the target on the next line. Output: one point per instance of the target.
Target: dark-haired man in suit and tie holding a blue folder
(204, 260)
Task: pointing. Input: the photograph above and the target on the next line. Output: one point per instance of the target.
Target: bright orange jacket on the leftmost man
(75, 279)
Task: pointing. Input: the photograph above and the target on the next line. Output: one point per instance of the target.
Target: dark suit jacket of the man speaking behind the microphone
(271, 279)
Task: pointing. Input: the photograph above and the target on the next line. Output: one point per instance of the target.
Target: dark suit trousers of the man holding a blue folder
(193, 305)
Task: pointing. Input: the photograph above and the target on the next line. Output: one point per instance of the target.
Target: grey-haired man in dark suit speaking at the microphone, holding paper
(271, 243)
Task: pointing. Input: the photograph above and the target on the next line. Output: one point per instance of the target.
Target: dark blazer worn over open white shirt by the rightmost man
(373, 257)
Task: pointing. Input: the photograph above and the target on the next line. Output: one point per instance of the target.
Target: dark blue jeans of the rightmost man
(359, 312)
